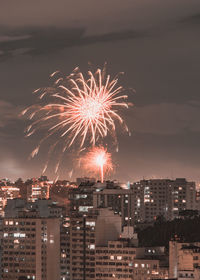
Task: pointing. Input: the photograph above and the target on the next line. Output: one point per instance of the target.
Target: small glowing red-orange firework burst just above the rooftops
(97, 160)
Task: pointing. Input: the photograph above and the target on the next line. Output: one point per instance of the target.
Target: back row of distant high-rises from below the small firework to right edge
(141, 202)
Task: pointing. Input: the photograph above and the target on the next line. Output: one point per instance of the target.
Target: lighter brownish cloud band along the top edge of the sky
(112, 12)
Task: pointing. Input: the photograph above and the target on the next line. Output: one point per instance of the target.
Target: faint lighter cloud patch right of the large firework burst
(167, 118)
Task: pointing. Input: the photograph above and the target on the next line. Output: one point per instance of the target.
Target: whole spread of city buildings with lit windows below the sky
(88, 230)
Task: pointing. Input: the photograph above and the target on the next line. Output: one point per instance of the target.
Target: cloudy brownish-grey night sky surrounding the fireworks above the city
(155, 42)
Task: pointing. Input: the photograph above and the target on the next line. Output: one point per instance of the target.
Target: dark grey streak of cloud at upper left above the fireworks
(36, 41)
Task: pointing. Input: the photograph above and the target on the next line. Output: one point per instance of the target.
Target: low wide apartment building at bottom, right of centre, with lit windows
(121, 260)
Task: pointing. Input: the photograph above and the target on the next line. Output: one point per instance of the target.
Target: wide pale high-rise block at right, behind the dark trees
(162, 197)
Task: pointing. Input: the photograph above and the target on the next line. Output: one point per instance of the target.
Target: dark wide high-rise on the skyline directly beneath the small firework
(108, 194)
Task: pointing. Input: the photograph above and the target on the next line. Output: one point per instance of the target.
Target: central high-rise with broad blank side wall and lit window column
(87, 231)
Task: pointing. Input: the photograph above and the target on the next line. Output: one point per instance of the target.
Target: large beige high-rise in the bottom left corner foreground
(31, 247)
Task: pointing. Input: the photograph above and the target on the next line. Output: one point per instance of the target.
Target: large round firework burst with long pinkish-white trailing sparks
(84, 110)
